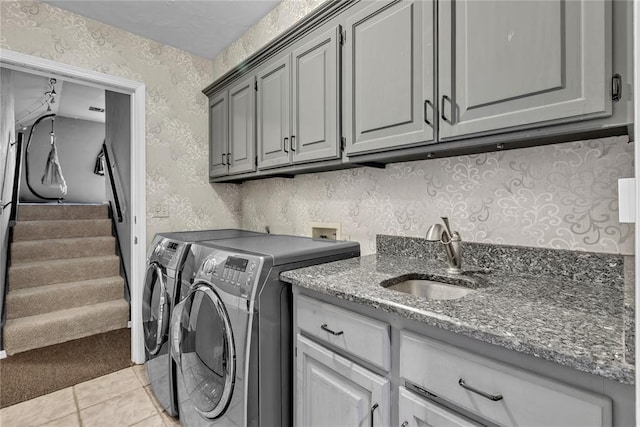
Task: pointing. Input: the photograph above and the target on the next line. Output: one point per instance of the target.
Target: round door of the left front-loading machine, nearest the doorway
(155, 309)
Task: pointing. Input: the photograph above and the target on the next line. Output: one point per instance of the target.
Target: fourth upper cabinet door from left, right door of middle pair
(316, 97)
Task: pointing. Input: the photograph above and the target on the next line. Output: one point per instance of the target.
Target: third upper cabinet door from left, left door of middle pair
(274, 117)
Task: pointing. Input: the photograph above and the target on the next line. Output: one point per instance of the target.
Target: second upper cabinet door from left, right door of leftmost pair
(242, 131)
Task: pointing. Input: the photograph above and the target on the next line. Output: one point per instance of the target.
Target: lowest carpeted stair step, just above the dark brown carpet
(27, 333)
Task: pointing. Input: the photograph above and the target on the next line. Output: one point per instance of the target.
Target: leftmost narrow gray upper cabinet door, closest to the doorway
(218, 135)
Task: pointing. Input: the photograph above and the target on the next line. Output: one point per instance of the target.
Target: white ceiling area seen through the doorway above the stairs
(71, 99)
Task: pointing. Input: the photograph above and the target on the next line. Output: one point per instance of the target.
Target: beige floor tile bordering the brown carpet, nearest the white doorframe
(104, 388)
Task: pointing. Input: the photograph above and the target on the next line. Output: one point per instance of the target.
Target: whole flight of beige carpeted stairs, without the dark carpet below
(64, 278)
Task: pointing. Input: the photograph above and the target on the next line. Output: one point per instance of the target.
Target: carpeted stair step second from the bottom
(44, 299)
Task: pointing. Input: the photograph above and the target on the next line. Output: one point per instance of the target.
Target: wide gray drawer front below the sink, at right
(521, 398)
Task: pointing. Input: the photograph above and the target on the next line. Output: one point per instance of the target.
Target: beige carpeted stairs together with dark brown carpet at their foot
(66, 316)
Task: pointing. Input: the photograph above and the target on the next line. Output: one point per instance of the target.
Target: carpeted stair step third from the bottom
(40, 273)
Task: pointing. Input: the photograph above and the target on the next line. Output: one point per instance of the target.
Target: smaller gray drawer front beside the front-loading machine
(359, 335)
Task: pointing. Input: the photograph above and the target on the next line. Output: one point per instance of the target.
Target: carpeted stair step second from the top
(61, 229)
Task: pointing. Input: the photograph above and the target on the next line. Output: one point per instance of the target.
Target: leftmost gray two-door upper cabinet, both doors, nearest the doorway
(232, 130)
